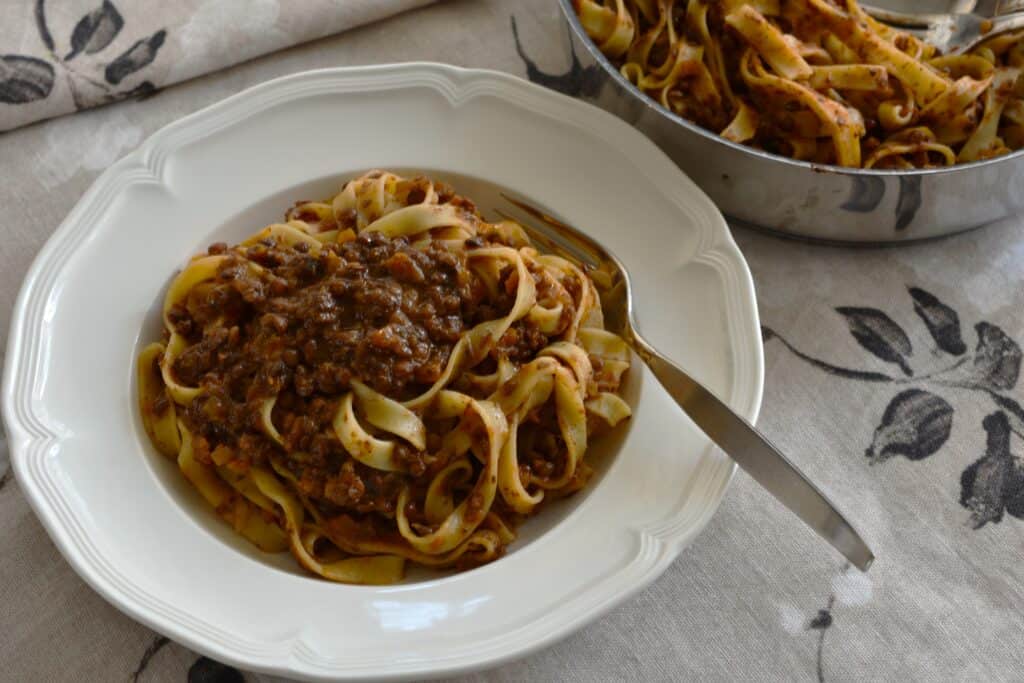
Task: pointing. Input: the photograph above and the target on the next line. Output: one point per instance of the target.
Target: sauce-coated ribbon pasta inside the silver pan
(817, 80)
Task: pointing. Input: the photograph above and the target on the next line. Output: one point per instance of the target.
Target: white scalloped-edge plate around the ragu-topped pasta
(133, 528)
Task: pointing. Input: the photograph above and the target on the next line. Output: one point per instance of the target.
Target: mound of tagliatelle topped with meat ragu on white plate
(386, 378)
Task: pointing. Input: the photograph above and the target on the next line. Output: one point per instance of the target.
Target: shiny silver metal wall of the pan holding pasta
(812, 201)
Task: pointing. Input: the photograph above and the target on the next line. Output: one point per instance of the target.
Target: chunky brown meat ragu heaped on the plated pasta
(372, 309)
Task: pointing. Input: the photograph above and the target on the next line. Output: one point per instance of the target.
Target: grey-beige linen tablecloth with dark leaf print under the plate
(892, 379)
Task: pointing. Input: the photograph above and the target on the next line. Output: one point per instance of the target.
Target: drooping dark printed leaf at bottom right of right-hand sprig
(996, 484)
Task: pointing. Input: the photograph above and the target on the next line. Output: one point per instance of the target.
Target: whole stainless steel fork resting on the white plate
(734, 435)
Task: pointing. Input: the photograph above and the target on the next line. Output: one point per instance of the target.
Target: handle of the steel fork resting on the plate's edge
(756, 455)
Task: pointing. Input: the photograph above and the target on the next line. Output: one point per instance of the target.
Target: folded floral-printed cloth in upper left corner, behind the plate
(67, 56)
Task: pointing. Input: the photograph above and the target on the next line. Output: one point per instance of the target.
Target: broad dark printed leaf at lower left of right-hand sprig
(916, 424)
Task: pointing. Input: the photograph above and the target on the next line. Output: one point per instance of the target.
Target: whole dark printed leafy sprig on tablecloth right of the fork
(918, 422)
